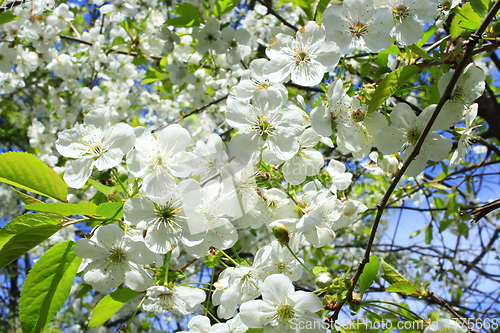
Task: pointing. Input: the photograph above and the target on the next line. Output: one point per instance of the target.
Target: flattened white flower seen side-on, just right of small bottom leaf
(183, 300)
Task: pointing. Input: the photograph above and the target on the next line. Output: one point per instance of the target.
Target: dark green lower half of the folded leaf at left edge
(24, 241)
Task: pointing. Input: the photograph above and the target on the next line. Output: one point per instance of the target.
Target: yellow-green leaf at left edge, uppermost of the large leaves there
(26, 171)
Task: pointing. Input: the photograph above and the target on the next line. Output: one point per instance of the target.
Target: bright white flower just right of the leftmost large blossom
(159, 159)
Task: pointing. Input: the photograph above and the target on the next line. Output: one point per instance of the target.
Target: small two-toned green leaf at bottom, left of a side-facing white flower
(110, 304)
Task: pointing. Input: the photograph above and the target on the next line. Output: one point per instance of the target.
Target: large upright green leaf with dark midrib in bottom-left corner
(47, 286)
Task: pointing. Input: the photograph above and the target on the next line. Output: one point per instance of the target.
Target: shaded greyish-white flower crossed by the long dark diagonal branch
(404, 134)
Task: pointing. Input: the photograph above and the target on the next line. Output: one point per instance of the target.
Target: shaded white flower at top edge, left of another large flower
(357, 24)
